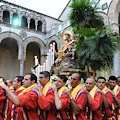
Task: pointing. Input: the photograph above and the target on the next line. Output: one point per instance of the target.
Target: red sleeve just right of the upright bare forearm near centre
(65, 100)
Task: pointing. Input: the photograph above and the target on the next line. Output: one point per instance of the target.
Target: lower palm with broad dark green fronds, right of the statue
(97, 51)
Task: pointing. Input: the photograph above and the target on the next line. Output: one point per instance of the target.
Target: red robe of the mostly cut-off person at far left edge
(3, 99)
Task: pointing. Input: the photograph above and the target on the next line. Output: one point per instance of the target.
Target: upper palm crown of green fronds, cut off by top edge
(84, 14)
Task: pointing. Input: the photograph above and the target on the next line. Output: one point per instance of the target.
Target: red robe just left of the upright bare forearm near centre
(47, 104)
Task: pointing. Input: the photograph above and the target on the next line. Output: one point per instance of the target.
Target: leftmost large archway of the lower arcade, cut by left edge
(9, 63)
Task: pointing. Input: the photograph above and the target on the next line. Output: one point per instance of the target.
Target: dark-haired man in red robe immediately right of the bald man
(108, 102)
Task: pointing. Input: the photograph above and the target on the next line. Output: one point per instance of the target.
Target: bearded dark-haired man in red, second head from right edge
(116, 94)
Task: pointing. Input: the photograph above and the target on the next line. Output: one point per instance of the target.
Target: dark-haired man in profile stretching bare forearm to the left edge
(27, 98)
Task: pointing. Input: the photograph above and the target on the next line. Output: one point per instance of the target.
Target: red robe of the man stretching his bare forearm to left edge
(29, 103)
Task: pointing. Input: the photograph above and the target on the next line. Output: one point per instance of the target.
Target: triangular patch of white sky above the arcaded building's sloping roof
(49, 7)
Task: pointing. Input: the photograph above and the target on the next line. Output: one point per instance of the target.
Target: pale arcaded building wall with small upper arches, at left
(19, 45)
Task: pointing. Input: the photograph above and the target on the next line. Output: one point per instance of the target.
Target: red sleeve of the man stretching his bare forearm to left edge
(29, 100)
